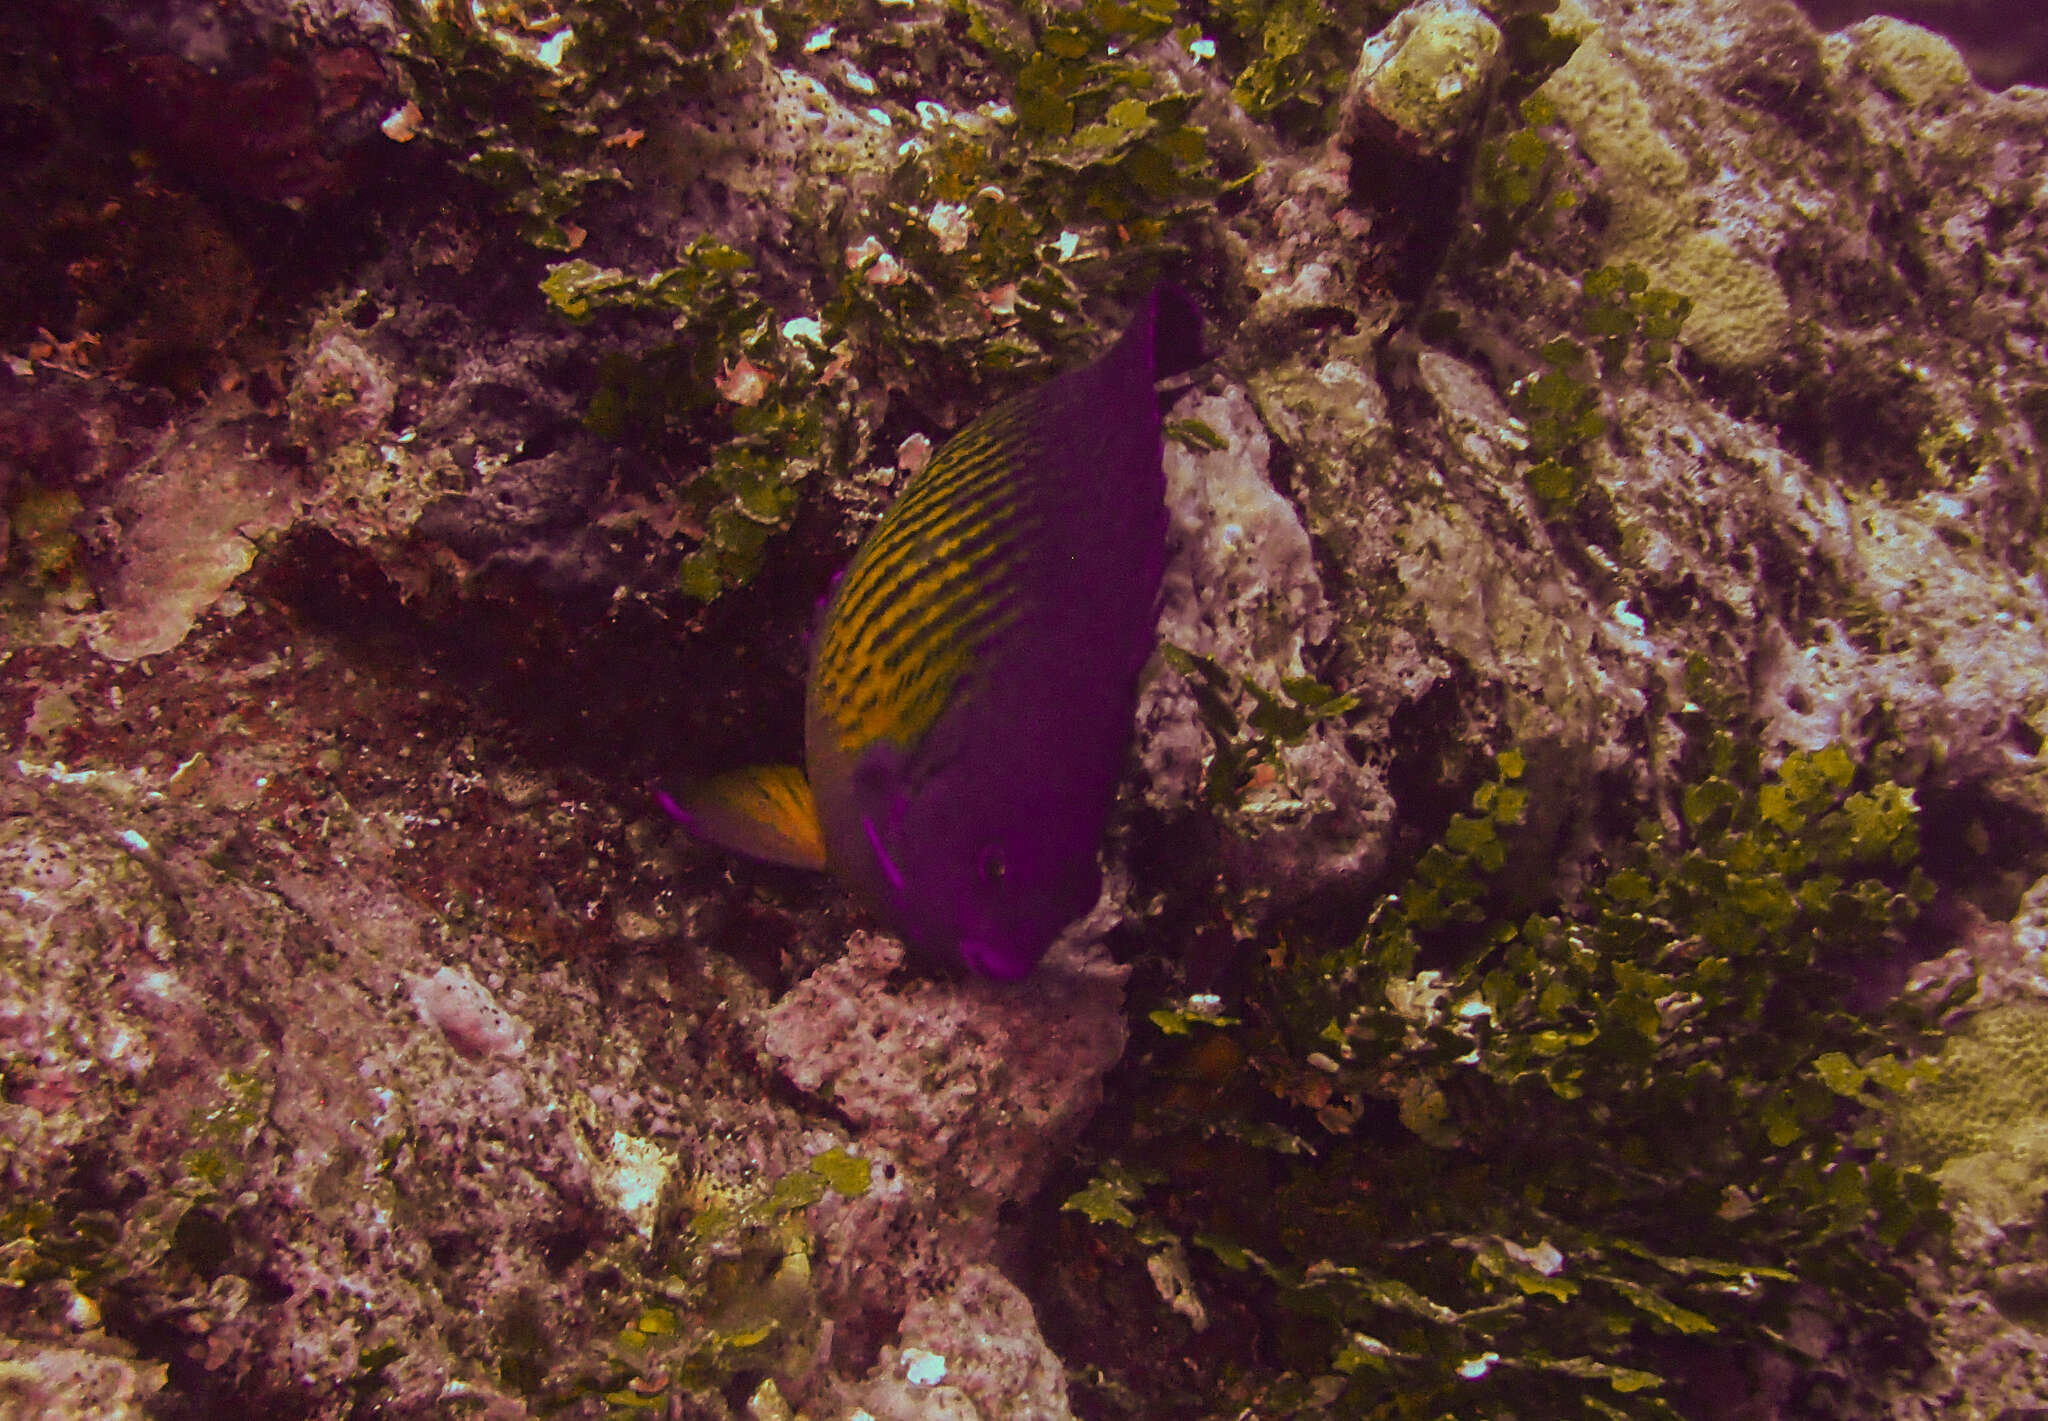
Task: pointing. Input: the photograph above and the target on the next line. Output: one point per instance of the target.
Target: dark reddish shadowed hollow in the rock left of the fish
(626, 701)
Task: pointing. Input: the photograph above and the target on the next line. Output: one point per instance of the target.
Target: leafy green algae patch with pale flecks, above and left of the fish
(759, 359)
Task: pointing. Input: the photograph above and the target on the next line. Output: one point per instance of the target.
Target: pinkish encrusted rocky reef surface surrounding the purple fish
(431, 429)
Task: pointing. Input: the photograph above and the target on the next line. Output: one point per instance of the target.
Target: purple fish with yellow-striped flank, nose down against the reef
(974, 679)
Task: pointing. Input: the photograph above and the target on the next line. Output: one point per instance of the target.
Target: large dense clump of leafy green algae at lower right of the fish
(1514, 1158)
